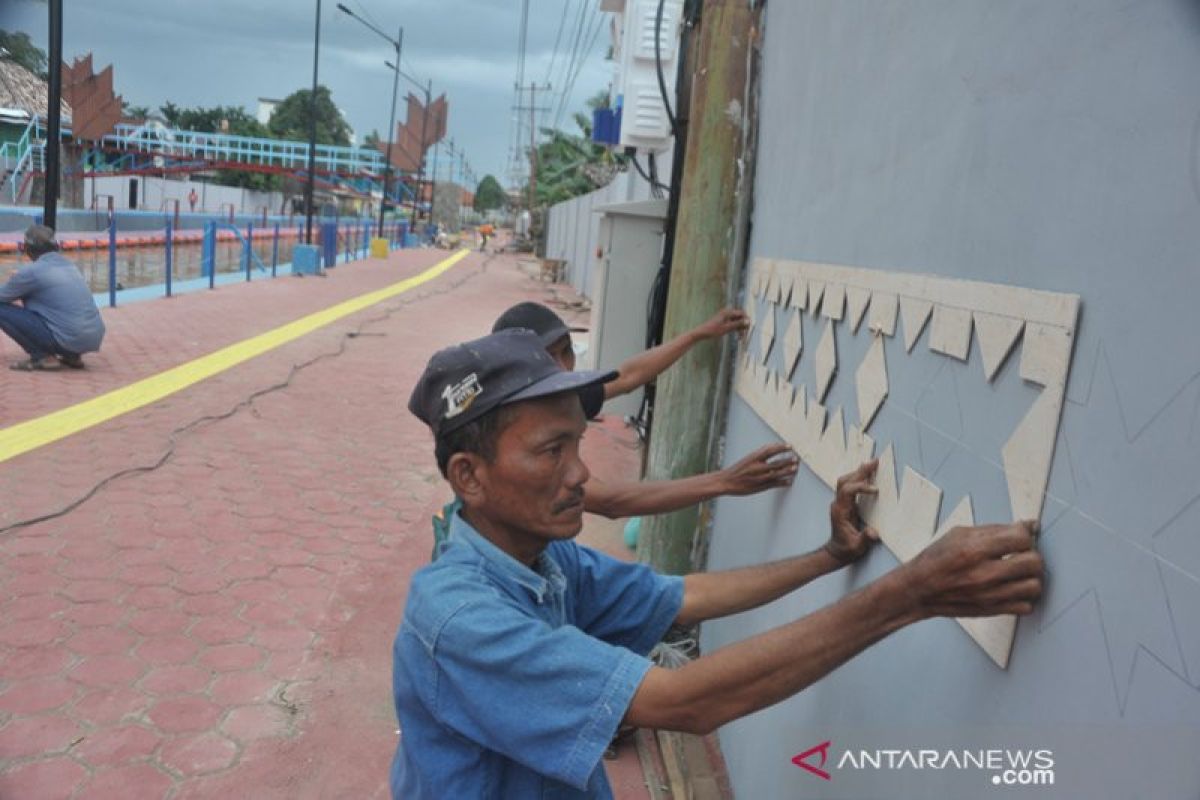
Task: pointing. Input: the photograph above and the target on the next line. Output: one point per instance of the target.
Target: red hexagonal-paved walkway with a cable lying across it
(199, 597)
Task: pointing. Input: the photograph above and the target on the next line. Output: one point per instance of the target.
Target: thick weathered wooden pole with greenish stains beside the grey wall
(710, 251)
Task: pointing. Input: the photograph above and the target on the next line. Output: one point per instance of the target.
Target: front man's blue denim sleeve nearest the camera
(547, 697)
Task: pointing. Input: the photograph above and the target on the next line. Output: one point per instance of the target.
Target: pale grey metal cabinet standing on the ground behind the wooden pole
(631, 250)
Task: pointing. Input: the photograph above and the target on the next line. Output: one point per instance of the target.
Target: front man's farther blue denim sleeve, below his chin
(625, 604)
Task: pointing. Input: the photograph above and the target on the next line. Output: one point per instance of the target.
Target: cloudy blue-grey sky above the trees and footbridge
(233, 52)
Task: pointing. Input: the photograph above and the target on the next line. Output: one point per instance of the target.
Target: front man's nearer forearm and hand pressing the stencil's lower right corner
(970, 573)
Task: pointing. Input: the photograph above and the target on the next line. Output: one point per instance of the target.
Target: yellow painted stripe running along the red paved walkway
(34, 434)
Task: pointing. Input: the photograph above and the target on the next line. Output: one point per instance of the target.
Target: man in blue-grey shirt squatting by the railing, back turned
(57, 321)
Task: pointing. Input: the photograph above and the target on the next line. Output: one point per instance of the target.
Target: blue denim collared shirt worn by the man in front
(511, 682)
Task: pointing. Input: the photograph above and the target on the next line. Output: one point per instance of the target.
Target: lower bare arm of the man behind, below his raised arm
(766, 468)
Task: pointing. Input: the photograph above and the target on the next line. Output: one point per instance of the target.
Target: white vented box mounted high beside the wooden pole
(644, 118)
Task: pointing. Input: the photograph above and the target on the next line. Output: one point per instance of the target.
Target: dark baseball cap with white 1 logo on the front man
(465, 382)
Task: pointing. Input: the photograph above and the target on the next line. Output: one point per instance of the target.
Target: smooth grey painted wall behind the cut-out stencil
(1052, 146)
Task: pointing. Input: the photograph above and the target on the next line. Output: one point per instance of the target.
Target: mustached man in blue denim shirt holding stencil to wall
(520, 652)
